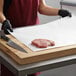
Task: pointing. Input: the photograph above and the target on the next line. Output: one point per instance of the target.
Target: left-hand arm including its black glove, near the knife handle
(5, 22)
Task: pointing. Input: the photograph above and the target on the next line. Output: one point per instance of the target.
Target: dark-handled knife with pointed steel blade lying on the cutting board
(11, 43)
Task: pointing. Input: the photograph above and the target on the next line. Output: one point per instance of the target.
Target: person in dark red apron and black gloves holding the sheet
(19, 13)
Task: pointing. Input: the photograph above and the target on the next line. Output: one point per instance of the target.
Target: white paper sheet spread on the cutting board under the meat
(62, 31)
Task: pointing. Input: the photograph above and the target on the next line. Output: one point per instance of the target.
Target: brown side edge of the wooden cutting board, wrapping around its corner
(70, 50)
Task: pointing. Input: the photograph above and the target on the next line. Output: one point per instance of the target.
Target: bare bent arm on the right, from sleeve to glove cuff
(47, 10)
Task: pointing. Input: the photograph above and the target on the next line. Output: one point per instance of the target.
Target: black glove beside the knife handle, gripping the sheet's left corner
(7, 26)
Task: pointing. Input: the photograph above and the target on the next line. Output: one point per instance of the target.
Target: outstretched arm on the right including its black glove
(51, 11)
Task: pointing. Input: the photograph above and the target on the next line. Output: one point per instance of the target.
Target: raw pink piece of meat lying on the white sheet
(42, 43)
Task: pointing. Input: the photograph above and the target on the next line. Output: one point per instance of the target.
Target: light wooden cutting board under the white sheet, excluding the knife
(31, 56)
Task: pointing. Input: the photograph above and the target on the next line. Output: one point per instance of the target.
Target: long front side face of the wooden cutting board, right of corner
(47, 56)
